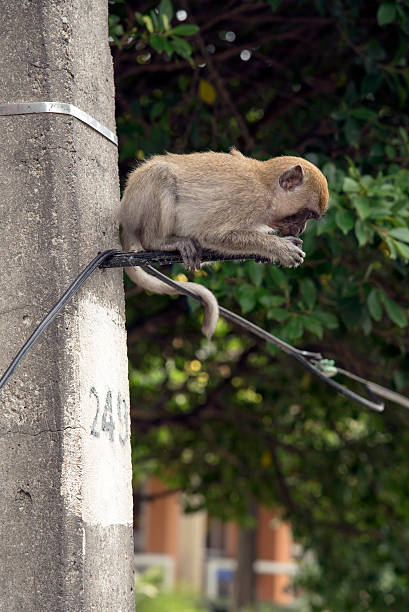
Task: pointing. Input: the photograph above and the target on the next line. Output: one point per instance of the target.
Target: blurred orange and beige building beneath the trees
(200, 551)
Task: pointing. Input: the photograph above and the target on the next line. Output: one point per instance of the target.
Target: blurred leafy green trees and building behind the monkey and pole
(255, 486)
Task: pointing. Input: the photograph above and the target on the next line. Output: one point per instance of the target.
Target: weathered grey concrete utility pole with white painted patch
(65, 465)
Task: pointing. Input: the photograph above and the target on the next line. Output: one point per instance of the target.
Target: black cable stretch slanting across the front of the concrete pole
(49, 318)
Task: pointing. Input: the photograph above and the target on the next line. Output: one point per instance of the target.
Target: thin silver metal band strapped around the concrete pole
(62, 108)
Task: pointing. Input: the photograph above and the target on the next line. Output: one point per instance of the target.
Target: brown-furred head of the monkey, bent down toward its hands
(300, 193)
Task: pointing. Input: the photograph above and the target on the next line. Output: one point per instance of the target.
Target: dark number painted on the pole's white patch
(108, 420)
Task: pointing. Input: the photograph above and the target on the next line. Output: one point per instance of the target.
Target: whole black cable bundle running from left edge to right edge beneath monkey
(323, 368)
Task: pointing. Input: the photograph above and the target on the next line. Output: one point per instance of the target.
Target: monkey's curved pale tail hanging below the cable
(150, 283)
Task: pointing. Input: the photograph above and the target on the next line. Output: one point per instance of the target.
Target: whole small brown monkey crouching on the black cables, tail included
(226, 202)
